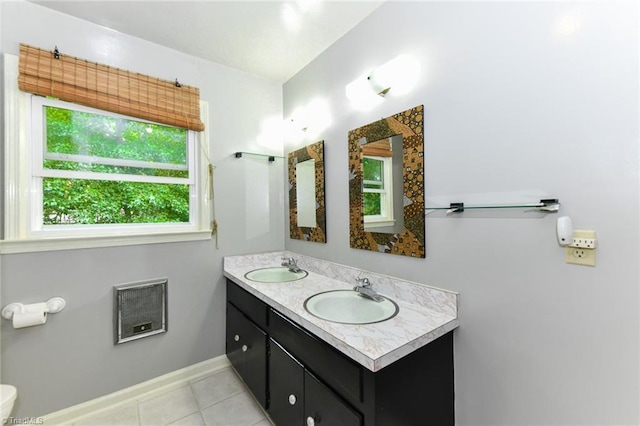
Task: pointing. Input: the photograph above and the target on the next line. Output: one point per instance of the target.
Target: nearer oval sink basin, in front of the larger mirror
(349, 307)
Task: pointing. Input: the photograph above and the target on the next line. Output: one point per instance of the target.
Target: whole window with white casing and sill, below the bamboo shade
(84, 173)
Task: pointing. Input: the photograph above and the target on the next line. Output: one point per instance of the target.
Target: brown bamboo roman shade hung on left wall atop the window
(108, 88)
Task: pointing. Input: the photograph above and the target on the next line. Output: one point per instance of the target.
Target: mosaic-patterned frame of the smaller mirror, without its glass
(314, 151)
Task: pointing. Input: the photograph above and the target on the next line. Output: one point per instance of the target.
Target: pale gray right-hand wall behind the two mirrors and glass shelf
(515, 109)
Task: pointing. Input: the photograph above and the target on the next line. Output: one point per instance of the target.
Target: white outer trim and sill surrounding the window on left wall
(17, 234)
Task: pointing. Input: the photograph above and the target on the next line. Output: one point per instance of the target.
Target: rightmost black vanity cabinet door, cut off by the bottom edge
(322, 407)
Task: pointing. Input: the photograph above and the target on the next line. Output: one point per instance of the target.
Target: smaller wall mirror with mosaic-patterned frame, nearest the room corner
(307, 217)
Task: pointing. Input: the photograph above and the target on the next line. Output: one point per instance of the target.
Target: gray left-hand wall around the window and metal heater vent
(72, 358)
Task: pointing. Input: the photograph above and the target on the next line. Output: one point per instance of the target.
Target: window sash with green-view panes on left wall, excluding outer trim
(93, 168)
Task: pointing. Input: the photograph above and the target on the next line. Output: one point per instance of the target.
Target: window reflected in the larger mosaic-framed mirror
(377, 196)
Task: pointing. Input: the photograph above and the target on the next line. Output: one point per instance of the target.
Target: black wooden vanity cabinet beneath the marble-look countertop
(301, 380)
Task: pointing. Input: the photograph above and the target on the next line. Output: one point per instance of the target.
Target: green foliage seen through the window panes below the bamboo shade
(88, 201)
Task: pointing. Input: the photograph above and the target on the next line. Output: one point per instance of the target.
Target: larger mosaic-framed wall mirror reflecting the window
(386, 185)
